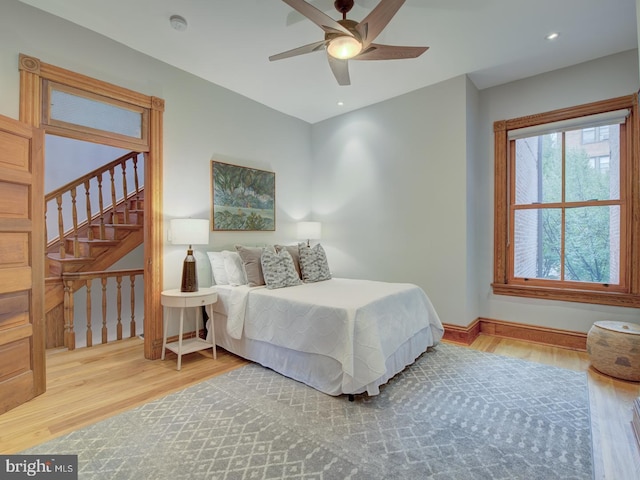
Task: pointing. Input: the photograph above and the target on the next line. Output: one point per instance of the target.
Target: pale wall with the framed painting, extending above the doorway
(201, 121)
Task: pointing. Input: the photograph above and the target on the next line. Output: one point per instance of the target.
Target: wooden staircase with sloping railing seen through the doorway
(112, 226)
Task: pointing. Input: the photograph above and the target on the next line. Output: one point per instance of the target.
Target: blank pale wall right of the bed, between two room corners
(389, 185)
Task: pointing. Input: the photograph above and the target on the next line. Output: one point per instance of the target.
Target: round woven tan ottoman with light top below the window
(614, 349)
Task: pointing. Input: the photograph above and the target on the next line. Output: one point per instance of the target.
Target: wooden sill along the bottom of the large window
(566, 295)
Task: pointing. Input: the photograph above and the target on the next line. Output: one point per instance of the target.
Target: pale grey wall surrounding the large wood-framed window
(608, 77)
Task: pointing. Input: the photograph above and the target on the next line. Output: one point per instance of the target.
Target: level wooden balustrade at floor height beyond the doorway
(75, 281)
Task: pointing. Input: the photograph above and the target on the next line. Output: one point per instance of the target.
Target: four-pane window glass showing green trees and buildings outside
(566, 206)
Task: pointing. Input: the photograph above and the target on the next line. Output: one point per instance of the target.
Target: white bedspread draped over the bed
(359, 323)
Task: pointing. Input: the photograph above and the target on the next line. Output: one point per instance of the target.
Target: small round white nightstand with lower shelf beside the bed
(175, 298)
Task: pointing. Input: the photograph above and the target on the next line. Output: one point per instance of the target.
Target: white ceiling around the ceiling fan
(228, 42)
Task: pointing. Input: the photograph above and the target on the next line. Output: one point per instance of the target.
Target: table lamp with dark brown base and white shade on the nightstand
(189, 231)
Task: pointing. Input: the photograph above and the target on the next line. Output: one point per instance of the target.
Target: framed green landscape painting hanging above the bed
(242, 198)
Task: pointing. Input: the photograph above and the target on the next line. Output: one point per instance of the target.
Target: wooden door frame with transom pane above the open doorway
(39, 83)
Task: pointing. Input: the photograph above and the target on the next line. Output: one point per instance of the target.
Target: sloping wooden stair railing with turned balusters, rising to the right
(119, 192)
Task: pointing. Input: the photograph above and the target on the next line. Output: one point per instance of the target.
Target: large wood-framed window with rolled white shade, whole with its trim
(564, 218)
